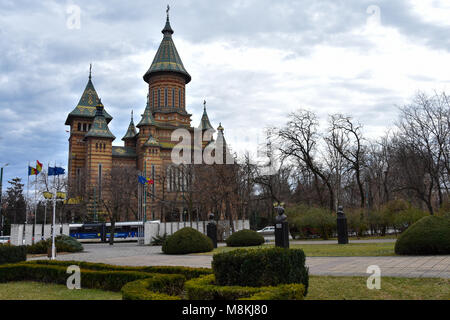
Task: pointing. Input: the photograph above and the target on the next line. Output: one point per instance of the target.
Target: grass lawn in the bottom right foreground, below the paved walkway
(355, 288)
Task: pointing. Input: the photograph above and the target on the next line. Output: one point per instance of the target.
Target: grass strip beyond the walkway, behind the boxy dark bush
(328, 250)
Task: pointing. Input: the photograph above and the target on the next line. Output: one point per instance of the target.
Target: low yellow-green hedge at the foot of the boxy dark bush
(204, 288)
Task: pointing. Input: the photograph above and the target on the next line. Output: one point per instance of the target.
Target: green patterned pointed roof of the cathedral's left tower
(86, 106)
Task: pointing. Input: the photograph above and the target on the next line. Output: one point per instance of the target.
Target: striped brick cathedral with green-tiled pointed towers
(147, 146)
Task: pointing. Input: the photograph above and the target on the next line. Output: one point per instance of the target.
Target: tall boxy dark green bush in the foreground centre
(261, 267)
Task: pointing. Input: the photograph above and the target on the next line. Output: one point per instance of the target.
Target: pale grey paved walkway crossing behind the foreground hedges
(129, 254)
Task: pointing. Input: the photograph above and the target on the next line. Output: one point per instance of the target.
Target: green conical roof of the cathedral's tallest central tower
(167, 58)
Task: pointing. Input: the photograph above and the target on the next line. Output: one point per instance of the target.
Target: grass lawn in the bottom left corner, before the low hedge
(45, 291)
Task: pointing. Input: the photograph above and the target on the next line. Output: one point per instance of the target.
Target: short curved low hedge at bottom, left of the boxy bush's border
(159, 287)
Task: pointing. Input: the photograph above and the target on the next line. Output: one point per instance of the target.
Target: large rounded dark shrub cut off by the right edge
(429, 235)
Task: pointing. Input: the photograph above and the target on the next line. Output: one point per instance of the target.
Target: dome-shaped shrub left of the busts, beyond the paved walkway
(187, 240)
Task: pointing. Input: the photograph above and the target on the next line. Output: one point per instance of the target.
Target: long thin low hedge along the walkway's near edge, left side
(187, 272)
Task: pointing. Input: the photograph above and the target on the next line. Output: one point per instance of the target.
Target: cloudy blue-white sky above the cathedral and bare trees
(254, 61)
